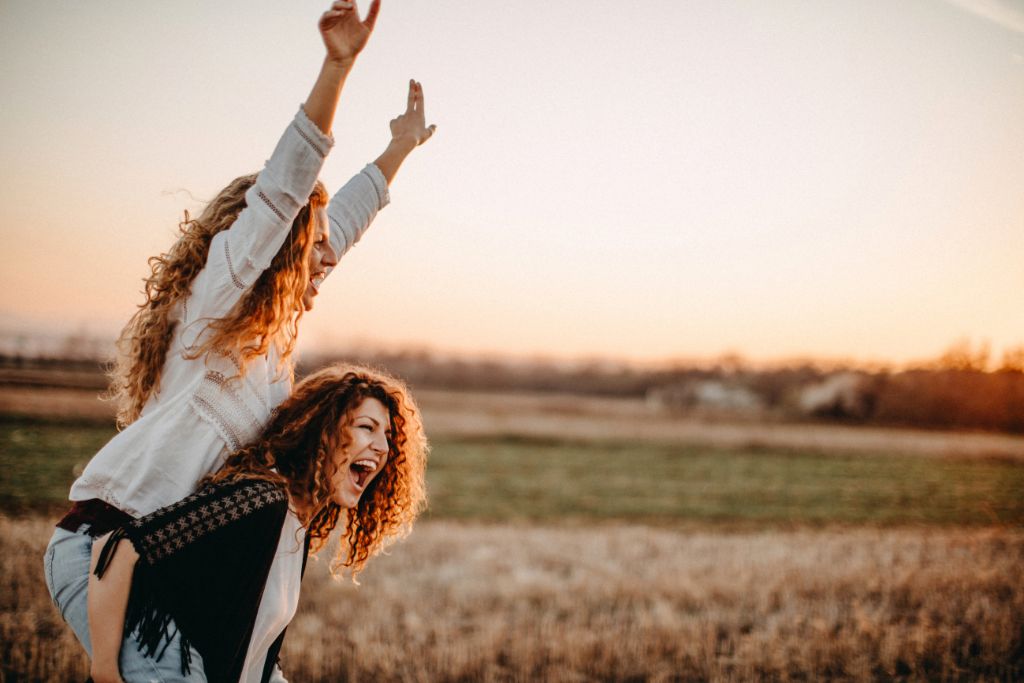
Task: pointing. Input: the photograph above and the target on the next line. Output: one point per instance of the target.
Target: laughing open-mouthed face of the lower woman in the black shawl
(362, 453)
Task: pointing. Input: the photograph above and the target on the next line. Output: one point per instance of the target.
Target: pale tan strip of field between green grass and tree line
(575, 418)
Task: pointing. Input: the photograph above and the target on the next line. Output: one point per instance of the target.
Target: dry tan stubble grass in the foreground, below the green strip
(613, 603)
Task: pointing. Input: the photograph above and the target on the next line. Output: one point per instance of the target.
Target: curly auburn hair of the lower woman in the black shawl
(297, 447)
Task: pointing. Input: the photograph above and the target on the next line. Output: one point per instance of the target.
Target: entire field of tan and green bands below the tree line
(601, 540)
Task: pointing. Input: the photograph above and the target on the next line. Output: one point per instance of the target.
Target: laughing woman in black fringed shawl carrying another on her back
(348, 444)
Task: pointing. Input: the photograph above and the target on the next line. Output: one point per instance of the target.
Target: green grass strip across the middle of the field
(546, 481)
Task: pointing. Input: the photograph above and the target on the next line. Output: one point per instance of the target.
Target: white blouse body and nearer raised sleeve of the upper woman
(205, 406)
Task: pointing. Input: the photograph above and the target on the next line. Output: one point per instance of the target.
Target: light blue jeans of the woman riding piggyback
(67, 567)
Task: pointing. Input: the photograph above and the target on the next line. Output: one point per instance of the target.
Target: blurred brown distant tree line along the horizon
(964, 389)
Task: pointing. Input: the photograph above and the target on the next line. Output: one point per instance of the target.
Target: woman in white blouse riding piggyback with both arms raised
(206, 360)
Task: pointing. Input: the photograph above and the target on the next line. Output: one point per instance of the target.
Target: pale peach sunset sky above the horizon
(639, 181)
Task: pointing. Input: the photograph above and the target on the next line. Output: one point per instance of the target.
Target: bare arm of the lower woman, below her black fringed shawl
(108, 604)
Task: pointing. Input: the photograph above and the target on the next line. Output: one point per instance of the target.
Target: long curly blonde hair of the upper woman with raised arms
(269, 314)
